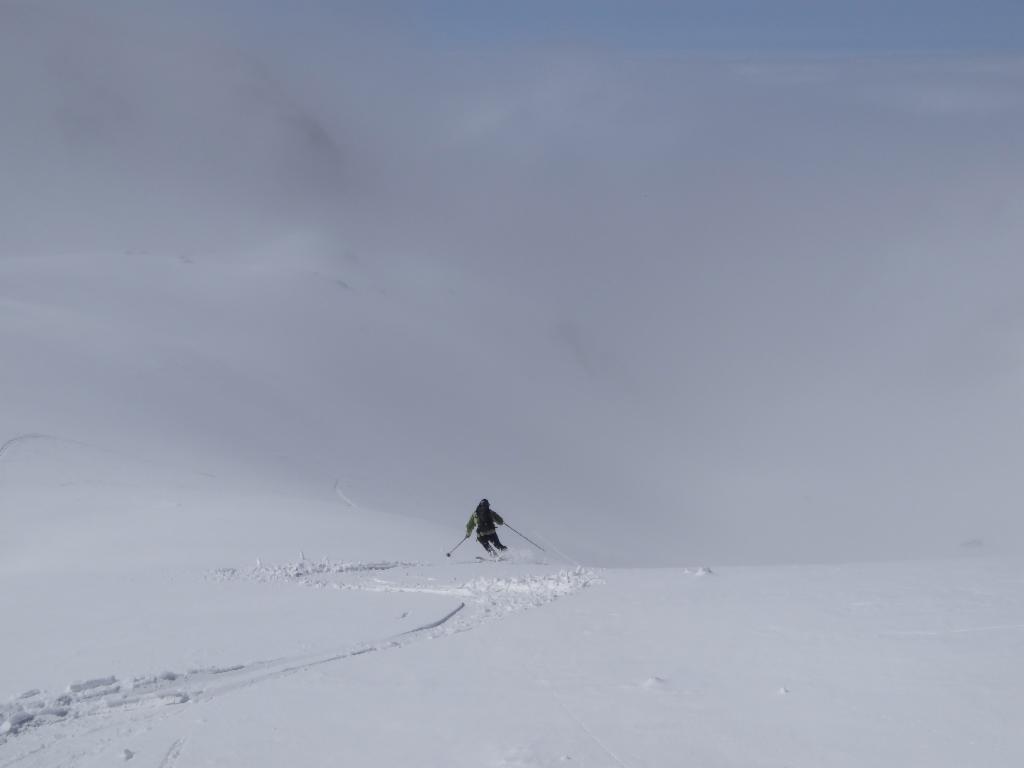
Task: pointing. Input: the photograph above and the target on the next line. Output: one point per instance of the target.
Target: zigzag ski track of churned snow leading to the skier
(95, 706)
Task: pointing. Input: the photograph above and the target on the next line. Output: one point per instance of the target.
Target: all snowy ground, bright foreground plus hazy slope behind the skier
(224, 515)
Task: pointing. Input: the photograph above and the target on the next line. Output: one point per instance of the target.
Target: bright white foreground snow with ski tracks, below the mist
(185, 625)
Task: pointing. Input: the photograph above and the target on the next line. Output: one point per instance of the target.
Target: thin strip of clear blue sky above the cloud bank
(658, 26)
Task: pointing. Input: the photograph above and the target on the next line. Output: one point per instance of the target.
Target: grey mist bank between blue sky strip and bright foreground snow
(660, 310)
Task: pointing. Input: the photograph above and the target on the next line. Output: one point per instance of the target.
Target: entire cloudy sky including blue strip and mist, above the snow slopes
(781, 242)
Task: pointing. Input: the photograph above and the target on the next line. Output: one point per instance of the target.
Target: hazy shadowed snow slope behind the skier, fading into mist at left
(293, 369)
